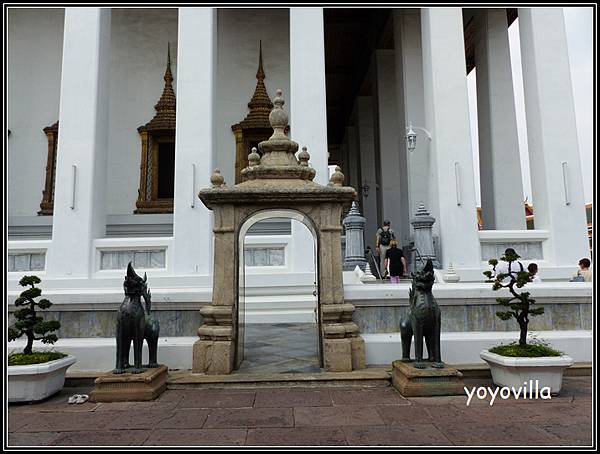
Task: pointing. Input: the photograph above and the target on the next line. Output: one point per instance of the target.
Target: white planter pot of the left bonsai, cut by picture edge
(37, 381)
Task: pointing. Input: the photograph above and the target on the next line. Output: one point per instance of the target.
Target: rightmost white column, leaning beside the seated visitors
(556, 179)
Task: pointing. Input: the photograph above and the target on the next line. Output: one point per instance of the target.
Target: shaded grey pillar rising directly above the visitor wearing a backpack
(391, 146)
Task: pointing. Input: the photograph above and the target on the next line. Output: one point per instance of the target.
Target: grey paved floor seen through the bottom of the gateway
(281, 348)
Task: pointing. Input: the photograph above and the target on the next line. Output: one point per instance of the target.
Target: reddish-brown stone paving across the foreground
(376, 416)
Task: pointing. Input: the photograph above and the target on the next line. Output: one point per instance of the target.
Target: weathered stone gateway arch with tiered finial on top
(276, 180)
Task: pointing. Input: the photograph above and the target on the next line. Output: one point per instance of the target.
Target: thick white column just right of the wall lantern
(447, 117)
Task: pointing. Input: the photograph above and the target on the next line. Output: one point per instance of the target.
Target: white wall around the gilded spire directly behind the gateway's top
(239, 32)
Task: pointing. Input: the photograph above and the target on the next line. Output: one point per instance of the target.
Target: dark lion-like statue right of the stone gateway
(423, 320)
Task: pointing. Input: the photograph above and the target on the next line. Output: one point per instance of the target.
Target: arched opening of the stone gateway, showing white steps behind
(278, 309)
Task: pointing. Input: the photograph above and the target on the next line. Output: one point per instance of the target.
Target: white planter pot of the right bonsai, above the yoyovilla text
(512, 371)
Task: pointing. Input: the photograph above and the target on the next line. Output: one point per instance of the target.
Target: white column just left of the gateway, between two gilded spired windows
(192, 221)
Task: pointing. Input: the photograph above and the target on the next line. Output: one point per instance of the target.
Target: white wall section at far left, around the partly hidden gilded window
(35, 38)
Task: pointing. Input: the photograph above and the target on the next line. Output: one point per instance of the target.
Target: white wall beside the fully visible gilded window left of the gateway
(138, 61)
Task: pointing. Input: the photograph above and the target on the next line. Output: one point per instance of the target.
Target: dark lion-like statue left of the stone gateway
(131, 322)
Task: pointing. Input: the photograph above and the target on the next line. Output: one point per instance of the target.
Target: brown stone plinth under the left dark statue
(130, 387)
